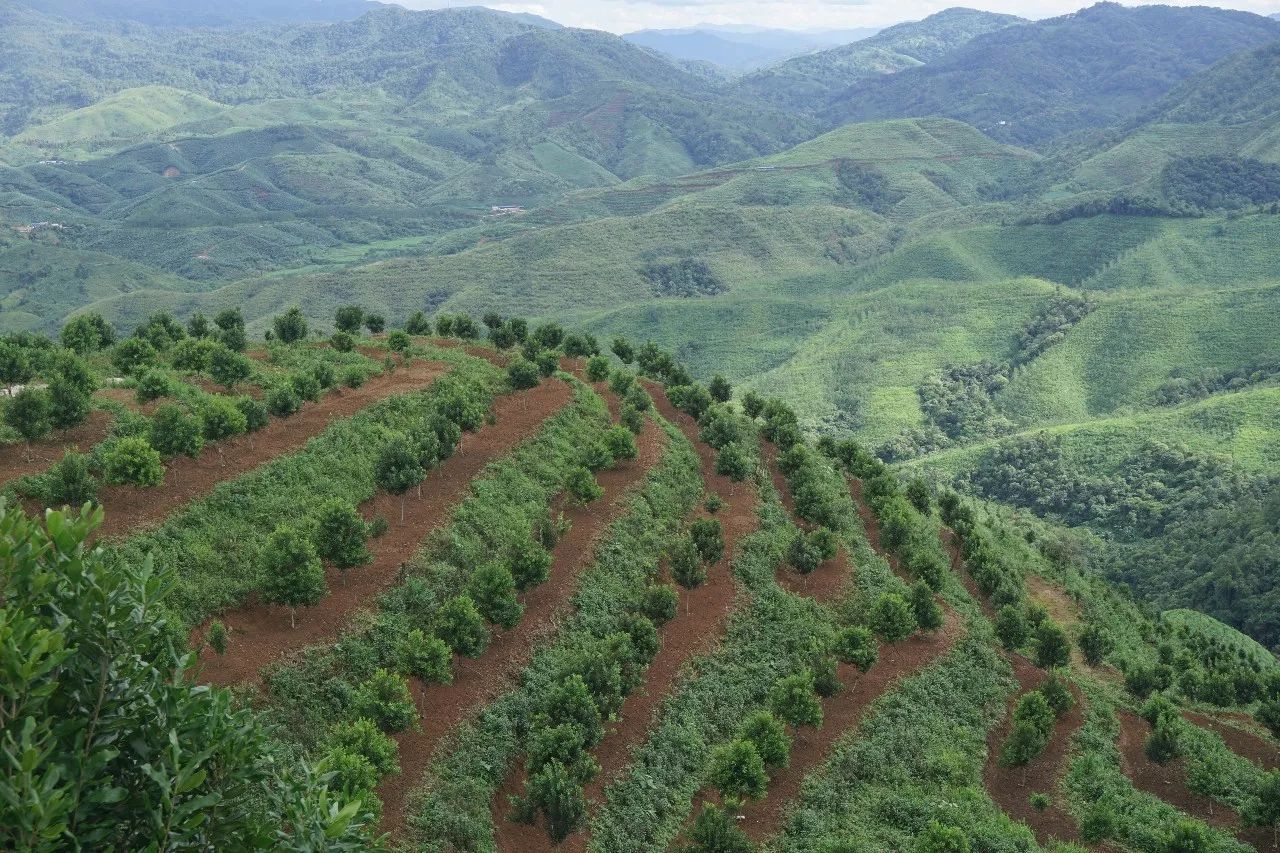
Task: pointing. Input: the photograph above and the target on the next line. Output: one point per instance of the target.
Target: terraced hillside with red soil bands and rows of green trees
(500, 599)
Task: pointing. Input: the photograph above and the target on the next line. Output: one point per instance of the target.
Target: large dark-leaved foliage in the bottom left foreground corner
(104, 745)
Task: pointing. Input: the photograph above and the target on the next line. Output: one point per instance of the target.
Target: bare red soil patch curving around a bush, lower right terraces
(1012, 787)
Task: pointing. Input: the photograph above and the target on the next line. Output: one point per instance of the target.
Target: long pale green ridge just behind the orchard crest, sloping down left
(808, 212)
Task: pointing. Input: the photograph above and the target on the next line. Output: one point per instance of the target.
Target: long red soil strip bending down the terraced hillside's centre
(701, 621)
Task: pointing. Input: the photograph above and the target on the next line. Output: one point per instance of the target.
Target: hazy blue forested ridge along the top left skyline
(449, 62)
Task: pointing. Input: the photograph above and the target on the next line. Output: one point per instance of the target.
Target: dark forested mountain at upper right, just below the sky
(1037, 83)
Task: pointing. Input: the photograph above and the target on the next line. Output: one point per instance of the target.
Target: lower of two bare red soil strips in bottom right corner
(1169, 783)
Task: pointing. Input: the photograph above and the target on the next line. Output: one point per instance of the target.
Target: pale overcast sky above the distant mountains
(628, 16)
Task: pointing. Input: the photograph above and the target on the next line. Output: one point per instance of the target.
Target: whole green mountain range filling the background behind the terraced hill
(968, 168)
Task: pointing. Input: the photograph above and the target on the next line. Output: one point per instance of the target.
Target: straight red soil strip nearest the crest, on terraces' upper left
(130, 508)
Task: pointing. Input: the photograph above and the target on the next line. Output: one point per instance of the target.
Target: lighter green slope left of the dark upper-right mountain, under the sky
(811, 83)
